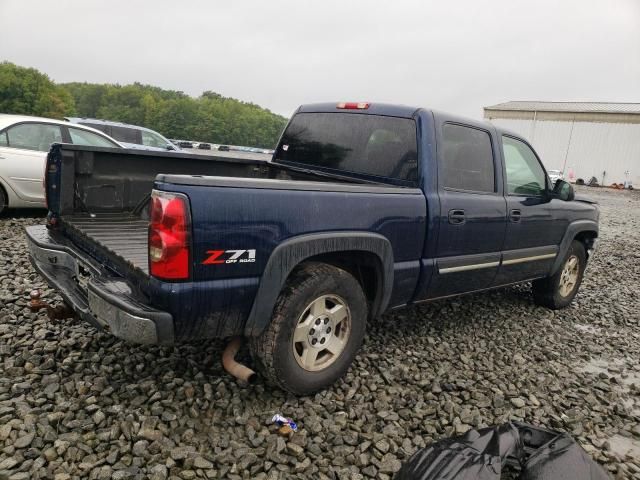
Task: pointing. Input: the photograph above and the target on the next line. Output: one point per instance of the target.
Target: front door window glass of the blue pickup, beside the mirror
(525, 175)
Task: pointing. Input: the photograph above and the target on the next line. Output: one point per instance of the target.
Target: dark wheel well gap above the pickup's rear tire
(365, 267)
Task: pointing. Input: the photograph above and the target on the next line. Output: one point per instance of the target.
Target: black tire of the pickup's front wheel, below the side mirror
(548, 292)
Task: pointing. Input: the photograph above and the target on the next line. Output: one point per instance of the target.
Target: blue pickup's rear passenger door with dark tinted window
(472, 210)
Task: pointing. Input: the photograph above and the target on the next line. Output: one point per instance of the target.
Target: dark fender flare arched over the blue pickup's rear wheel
(290, 253)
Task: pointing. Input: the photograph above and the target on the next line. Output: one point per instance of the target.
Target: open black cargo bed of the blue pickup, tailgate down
(100, 195)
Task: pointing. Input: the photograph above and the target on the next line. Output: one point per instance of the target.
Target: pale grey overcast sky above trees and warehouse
(456, 56)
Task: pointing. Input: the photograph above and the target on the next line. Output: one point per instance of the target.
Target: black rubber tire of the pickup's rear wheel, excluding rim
(274, 352)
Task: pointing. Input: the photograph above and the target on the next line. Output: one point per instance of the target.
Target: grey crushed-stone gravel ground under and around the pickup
(75, 403)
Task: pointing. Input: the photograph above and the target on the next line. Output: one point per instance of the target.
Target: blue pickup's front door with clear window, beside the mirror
(534, 230)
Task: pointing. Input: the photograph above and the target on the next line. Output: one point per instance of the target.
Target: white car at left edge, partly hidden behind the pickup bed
(24, 143)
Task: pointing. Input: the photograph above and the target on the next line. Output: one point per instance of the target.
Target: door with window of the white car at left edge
(23, 151)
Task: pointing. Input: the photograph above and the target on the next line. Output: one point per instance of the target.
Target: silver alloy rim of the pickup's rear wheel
(322, 332)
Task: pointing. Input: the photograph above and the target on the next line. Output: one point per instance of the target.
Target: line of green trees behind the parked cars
(207, 118)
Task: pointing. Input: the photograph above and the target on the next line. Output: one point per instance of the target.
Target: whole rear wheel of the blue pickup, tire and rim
(317, 328)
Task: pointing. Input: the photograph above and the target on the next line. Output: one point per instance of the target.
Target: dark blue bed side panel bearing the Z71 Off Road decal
(259, 219)
